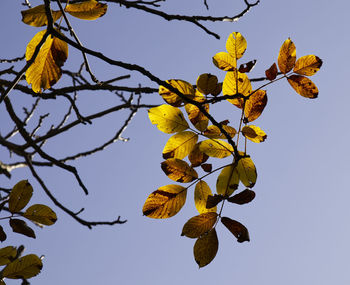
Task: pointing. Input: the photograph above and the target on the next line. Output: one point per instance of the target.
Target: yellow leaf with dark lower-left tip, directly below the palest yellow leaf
(180, 145)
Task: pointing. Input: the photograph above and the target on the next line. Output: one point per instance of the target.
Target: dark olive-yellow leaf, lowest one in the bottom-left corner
(25, 267)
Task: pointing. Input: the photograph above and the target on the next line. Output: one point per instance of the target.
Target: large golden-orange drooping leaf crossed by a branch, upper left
(46, 69)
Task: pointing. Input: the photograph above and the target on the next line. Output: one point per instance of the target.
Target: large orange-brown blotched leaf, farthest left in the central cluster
(165, 202)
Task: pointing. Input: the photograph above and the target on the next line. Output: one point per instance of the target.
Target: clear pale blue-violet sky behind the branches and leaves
(299, 220)
